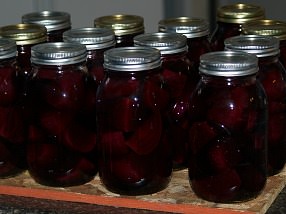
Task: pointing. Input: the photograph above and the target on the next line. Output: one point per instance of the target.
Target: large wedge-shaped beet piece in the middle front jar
(147, 135)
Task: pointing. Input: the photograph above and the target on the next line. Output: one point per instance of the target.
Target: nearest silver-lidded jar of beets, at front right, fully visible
(228, 126)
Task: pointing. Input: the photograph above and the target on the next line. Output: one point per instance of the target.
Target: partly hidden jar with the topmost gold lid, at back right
(230, 19)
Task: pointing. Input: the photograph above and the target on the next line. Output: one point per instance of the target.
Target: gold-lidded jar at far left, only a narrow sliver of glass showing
(26, 36)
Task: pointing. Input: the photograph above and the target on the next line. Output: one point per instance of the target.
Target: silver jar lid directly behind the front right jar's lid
(261, 46)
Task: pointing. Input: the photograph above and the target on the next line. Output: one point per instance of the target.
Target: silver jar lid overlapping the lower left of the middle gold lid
(92, 38)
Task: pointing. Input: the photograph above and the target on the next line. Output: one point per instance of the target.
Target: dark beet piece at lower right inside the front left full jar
(79, 139)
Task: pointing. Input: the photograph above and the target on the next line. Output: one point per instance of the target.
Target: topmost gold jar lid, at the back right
(240, 13)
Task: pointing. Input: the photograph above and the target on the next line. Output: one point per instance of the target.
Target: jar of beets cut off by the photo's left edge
(12, 135)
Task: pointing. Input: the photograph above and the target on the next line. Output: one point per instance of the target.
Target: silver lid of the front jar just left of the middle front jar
(58, 53)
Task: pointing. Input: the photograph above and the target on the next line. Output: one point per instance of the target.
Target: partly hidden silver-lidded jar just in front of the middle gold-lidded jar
(96, 40)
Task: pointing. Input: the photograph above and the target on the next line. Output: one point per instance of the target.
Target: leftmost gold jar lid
(25, 34)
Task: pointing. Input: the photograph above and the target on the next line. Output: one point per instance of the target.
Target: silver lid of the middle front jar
(132, 59)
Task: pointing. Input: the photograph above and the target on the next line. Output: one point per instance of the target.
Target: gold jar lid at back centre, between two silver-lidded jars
(121, 24)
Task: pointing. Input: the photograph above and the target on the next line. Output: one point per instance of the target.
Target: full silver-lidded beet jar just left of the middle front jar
(61, 148)
